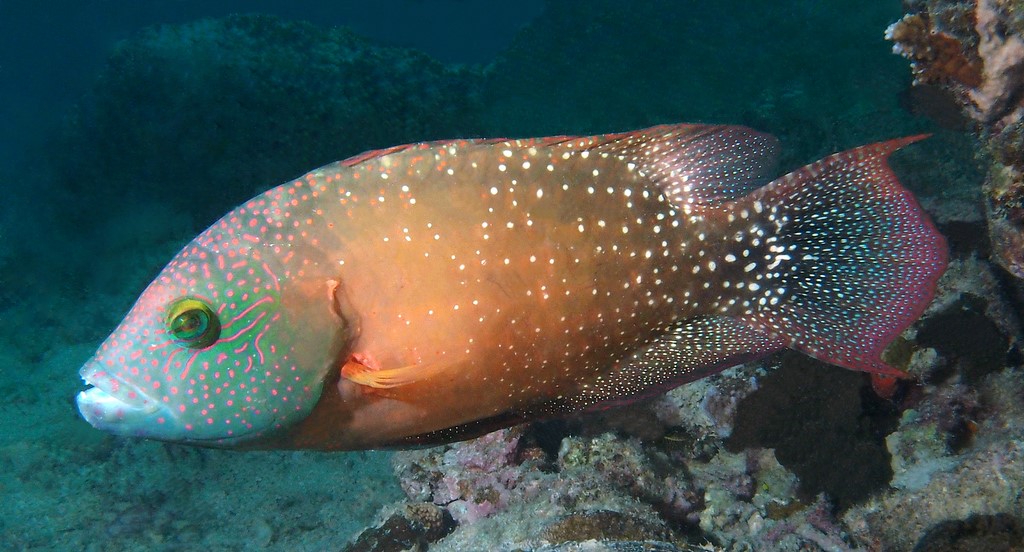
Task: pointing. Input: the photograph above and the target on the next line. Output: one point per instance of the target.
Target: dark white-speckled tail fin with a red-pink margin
(855, 261)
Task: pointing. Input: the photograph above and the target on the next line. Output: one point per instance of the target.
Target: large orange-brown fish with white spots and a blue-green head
(434, 292)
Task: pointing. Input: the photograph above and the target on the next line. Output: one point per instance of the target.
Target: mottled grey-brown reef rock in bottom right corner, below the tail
(933, 461)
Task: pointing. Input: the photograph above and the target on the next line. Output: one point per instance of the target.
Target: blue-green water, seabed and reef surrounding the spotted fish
(126, 129)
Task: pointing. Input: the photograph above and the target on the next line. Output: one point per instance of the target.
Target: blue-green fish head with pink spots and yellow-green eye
(223, 348)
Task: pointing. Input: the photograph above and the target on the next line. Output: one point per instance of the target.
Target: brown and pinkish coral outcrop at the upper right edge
(978, 57)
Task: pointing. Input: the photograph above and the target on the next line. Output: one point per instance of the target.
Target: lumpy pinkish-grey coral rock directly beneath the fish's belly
(620, 491)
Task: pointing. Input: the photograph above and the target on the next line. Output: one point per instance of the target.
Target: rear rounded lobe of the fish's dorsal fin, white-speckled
(698, 164)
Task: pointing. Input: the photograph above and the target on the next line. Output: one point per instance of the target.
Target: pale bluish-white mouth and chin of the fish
(116, 406)
